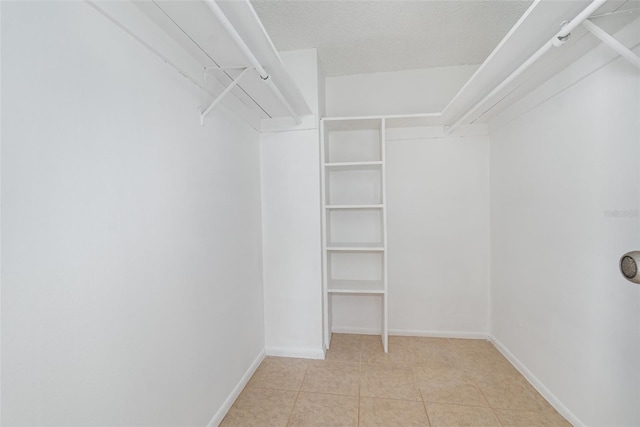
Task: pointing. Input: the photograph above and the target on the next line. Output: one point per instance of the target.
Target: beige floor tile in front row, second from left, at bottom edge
(315, 409)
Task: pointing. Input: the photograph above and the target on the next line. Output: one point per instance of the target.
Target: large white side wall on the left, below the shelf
(131, 281)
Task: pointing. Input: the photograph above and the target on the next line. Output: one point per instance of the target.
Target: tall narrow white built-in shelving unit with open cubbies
(354, 218)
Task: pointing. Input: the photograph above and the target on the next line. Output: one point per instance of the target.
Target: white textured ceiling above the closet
(356, 37)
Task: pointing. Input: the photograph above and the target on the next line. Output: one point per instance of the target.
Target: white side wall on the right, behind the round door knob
(564, 199)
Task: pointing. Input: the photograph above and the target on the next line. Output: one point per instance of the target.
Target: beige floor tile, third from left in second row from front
(388, 381)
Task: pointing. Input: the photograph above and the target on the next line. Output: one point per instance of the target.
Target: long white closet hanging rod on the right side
(556, 41)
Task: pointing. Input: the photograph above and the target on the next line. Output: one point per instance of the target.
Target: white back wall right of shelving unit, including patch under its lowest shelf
(438, 249)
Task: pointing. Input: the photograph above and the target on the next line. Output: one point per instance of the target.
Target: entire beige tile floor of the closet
(420, 382)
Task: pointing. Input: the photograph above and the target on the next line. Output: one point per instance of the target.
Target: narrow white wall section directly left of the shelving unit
(291, 226)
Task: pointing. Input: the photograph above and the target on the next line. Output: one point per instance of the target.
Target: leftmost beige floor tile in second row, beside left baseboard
(279, 373)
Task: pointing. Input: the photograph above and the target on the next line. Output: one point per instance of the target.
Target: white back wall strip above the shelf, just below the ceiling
(398, 92)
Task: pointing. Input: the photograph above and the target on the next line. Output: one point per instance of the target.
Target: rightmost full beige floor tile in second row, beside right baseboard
(511, 392)
